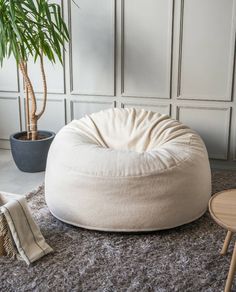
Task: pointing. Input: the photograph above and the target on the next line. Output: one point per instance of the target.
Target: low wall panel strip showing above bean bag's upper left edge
(81, 108)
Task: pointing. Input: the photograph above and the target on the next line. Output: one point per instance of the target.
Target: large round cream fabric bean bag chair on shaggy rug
(127, 170)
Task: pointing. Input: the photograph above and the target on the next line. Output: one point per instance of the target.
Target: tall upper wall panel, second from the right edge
(147, 27)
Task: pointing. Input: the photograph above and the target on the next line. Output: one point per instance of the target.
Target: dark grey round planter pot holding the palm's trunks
(31, 156)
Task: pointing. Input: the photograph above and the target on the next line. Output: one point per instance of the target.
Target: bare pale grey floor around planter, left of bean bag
(15, 181)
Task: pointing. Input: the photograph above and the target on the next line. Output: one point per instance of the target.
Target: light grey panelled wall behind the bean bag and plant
(174, 57)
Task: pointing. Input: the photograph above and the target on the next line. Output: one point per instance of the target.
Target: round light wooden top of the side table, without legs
(222, 207)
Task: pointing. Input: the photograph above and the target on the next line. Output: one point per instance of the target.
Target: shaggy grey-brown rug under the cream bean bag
(181, 259)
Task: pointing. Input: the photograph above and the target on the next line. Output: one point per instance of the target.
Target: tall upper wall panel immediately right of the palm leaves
(92, 49)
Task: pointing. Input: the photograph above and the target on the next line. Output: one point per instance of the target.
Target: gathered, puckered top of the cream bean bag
(126, 142)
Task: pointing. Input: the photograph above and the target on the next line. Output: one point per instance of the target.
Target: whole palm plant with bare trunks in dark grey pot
(32, 29)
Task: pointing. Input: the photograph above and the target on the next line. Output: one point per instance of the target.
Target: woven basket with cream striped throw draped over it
(19, 234)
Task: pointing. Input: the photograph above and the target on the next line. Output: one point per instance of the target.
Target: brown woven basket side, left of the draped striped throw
(7, 245)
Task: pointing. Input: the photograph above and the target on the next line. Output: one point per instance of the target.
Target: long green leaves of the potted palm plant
(31, 27)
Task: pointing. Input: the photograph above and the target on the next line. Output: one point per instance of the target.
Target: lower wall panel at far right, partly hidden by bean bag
(212, 124)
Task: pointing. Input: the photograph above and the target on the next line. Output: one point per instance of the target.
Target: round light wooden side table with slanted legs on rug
(222, 207)
